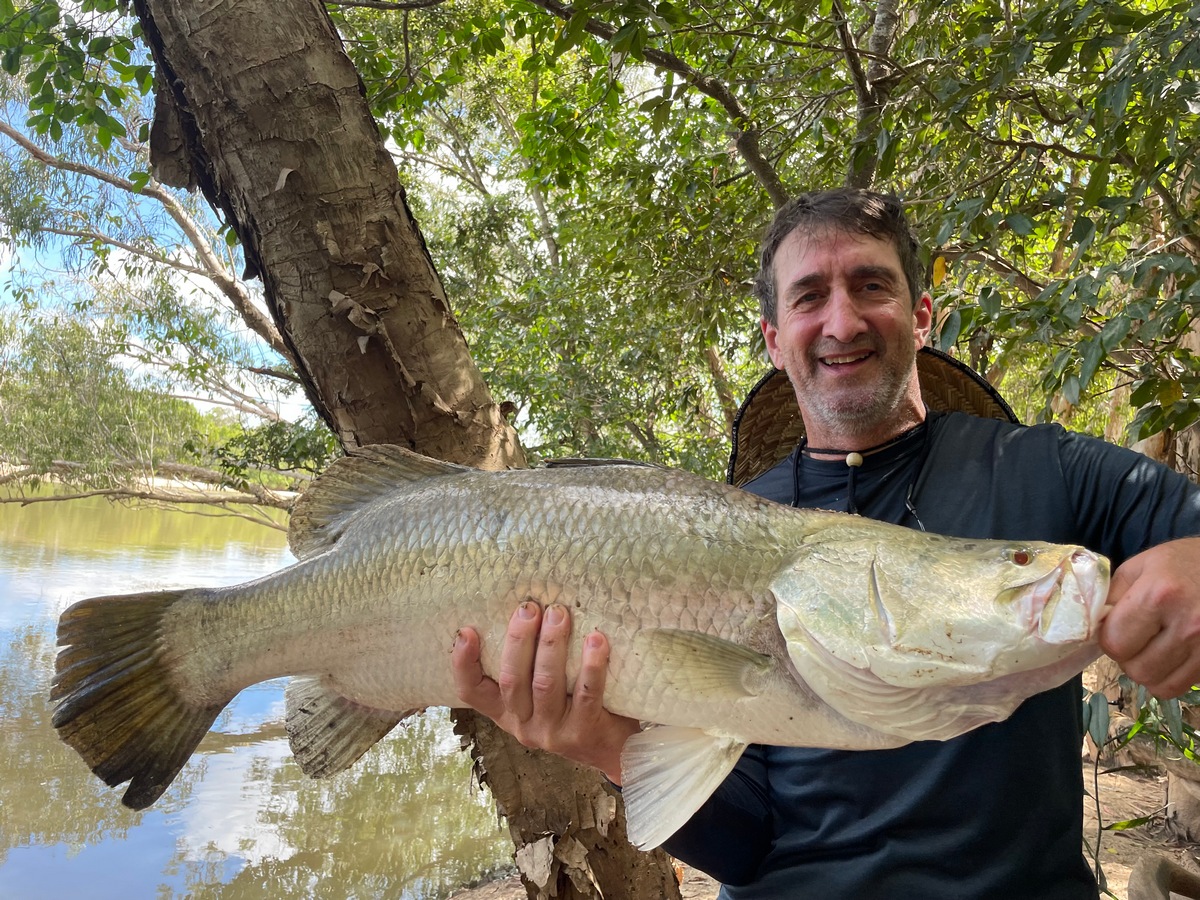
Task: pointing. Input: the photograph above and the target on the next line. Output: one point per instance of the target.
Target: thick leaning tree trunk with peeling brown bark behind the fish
(262, 109)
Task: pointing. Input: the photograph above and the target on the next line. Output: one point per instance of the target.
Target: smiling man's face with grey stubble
(848, 335)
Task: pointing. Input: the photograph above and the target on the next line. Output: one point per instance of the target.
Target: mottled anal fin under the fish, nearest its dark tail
(329, 733)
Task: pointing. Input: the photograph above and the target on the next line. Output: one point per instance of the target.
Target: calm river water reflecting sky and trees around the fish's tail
(242, 820)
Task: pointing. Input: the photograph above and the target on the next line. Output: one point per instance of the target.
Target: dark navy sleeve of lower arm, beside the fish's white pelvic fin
(733, 833)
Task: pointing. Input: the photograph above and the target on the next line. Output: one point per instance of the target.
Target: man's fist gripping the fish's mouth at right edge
(1154, 631)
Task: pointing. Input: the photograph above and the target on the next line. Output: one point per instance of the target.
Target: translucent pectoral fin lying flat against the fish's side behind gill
(694, 664)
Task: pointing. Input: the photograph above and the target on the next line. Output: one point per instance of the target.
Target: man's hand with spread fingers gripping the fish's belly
(530, 699)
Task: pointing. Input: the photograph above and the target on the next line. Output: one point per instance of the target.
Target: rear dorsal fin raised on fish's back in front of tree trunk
(353, 482)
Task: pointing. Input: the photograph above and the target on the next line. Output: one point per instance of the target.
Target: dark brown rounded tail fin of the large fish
(117, 701)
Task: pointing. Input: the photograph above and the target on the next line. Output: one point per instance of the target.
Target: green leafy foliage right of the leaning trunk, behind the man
(1046, 152)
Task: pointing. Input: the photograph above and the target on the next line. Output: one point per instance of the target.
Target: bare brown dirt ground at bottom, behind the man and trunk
(1123, 797)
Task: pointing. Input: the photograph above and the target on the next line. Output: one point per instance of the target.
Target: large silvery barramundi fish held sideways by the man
(733, 621)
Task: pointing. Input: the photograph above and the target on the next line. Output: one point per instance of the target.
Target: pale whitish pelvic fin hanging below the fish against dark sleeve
(669, 772)
